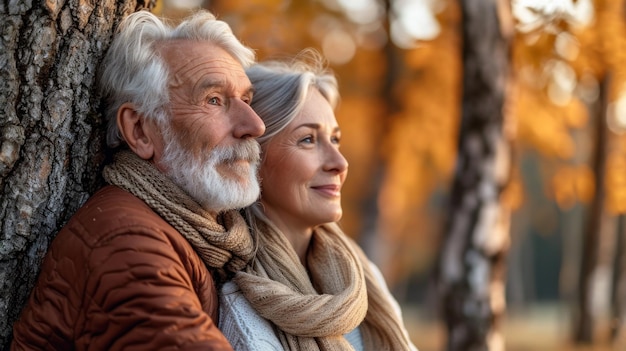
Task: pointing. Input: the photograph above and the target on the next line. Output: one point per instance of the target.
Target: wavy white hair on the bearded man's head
(133, 71)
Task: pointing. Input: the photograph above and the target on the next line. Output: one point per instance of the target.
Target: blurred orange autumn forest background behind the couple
(507, 194)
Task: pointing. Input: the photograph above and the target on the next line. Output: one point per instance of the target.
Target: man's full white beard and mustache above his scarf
(201, 180)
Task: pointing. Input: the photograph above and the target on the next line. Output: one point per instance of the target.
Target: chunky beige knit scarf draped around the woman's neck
(312, 310)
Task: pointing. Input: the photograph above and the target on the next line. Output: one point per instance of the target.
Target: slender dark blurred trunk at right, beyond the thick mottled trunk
(585, 324)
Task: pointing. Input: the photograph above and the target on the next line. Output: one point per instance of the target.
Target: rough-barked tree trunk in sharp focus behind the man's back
(51, 130)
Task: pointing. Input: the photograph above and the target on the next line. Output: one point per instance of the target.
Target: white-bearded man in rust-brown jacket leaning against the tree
(137, 265)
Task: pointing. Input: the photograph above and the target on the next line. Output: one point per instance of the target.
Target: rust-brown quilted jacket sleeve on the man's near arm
(140, 295)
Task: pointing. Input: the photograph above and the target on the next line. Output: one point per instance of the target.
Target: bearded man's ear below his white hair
(137, 133)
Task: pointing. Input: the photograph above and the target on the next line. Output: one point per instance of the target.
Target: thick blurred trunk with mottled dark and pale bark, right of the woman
(471, 269)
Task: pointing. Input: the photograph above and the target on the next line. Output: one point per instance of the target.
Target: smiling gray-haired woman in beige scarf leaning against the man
(309, 287)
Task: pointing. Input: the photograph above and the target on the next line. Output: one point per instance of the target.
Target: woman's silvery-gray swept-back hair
(281, 89)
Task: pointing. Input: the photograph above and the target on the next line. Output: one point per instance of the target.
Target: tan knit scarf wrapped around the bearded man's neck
(225, 247)
